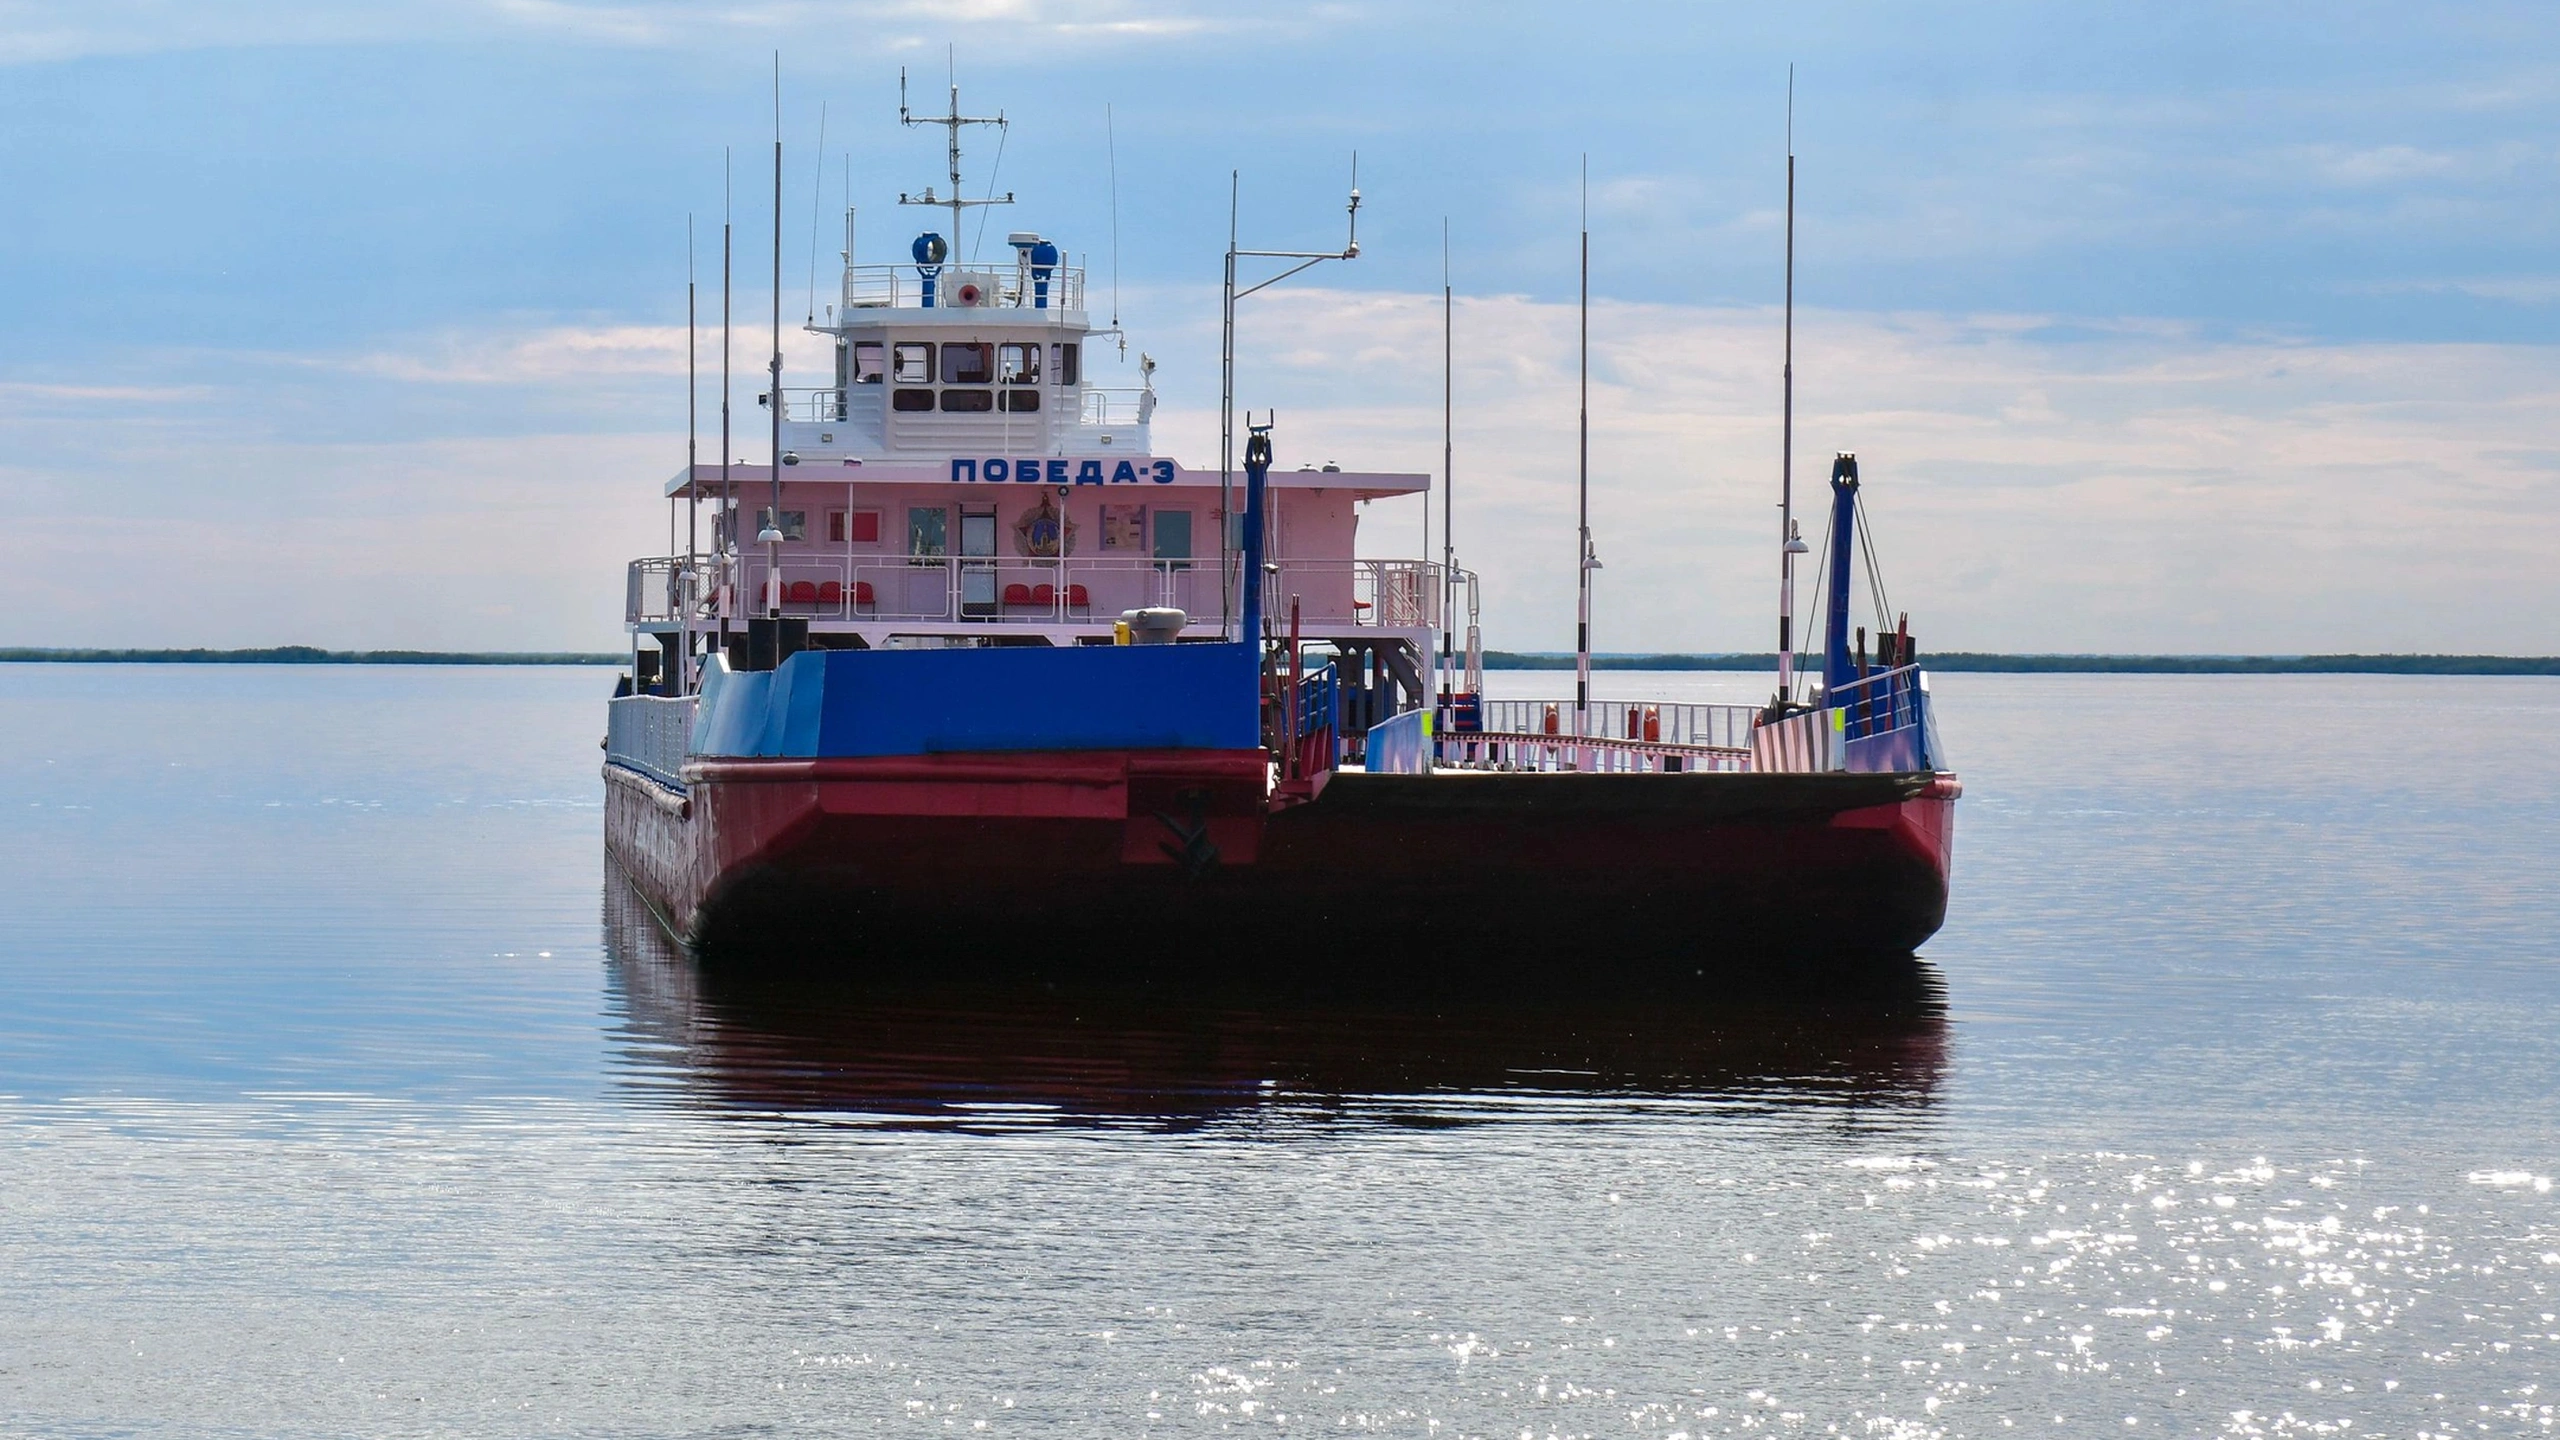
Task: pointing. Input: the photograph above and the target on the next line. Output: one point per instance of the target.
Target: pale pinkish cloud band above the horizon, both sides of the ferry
(2031, 483)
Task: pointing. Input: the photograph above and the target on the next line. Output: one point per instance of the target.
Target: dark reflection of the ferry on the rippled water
(1865, 1044)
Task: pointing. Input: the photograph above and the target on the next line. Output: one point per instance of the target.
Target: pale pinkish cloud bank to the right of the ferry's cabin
(2031, 486)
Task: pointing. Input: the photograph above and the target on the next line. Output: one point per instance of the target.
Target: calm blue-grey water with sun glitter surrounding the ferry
(342, 1098)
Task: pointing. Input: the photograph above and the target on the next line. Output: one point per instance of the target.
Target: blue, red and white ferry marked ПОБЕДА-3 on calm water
(972, 675)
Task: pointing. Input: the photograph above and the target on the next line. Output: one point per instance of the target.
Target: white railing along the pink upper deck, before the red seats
(1015, 591)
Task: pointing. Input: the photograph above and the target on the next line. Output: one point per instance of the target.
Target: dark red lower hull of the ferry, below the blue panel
(1169, 860)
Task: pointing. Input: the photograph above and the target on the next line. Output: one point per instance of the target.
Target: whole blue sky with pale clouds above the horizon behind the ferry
(2162, 329)
